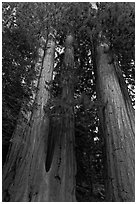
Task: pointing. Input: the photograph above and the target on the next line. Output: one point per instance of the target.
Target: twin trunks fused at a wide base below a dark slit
(29, 174)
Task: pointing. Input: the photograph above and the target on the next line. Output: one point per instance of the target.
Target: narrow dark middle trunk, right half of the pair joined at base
(61, 173)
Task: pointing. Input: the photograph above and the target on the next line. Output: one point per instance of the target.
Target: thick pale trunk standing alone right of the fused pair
(117, 118)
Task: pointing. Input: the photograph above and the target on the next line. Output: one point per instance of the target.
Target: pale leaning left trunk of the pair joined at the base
(24, 175)
